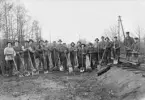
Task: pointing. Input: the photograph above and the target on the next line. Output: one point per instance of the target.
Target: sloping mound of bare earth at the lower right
(126, 84)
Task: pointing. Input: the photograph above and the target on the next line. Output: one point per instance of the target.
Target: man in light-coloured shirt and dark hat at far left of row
(9, 53)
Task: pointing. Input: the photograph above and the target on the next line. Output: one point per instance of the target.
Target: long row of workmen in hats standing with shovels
(33, 58)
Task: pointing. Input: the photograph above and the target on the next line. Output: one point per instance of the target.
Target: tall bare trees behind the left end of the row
(15, 23)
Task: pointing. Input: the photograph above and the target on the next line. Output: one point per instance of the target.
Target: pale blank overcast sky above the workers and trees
(67, 19)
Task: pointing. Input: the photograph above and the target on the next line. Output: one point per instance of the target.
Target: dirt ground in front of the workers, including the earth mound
(116, 84)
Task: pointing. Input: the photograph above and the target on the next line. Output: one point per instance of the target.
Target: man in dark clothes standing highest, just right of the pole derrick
(128, 42)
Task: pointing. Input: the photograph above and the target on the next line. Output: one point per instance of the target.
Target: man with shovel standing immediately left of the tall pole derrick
(116, 48)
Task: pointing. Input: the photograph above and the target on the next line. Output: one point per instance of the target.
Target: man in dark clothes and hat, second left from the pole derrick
(108, 46)
